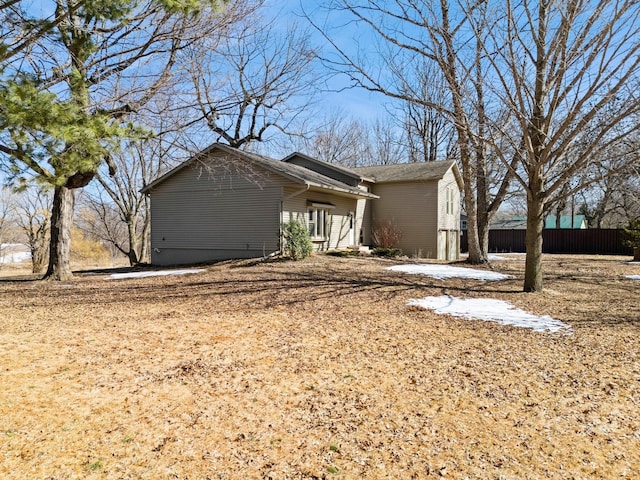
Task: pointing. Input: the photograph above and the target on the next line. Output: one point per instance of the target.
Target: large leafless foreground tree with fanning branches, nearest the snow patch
(562, 68)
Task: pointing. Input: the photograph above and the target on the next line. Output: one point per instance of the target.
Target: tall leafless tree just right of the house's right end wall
(450, 39)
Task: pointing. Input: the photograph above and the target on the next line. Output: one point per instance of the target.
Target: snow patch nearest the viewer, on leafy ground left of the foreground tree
(489, 310)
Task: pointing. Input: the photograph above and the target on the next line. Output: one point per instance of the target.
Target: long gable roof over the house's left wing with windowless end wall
(290, 171)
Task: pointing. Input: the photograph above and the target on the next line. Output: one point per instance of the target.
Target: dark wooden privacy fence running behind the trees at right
(606, 241)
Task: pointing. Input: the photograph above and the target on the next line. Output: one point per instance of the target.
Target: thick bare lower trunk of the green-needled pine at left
(60, 243)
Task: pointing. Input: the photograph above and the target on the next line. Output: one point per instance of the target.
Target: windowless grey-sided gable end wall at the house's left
(219, 209)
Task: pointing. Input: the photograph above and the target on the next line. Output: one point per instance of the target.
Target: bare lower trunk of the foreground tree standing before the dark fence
(533, 238)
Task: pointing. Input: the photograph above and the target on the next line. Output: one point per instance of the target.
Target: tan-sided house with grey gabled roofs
(226, 203)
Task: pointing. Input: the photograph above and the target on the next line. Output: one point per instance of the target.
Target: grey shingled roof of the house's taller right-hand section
(405, 172)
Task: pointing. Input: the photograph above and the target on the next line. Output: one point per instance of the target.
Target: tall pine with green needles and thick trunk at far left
(66, 97)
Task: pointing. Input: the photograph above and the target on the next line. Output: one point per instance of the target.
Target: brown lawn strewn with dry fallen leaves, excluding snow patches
(318, 369)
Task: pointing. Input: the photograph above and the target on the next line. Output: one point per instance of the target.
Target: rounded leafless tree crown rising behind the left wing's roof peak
(255, 82)
